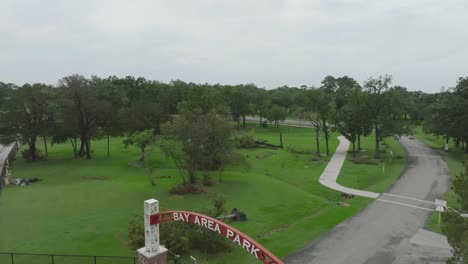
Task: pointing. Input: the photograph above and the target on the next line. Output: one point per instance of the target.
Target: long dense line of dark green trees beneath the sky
(80, 109)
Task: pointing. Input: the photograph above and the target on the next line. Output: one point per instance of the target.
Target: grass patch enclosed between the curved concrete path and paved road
(375, 178)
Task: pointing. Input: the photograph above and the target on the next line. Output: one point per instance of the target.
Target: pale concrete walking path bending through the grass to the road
(331, 172)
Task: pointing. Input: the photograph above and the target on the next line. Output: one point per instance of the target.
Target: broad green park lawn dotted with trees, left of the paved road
(83, 207)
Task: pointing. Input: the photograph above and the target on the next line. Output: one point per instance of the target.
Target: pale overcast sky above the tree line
(423, 44)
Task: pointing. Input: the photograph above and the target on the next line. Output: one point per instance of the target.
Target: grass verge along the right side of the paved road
(455, 160)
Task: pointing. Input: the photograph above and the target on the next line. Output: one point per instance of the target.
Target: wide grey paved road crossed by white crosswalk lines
(386, 232)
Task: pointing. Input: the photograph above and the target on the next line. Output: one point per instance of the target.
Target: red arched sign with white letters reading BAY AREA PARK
(220, 227)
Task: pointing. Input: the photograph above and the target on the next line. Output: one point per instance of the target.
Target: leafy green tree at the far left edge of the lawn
(26, 116)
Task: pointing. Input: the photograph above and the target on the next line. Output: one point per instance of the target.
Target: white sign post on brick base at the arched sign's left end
(153, 252)
